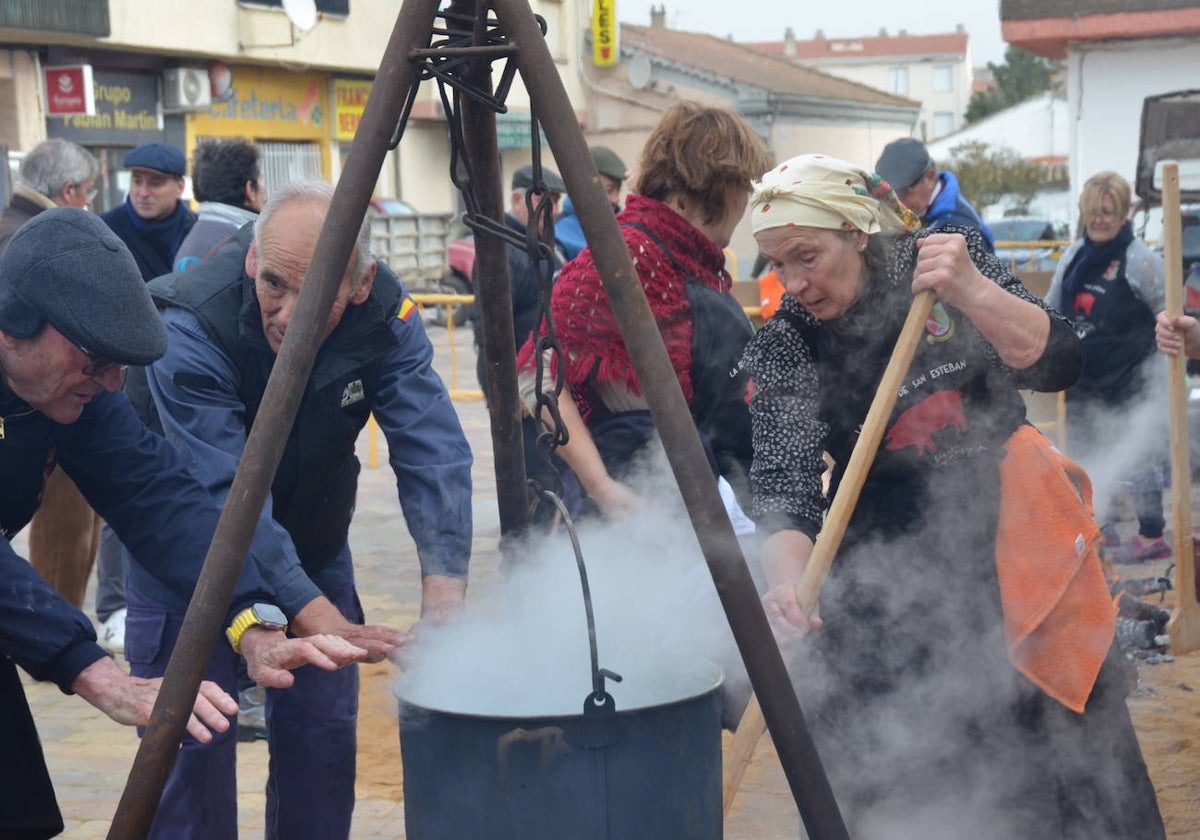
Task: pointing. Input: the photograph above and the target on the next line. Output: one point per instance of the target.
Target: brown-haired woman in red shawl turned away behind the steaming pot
(691, 193)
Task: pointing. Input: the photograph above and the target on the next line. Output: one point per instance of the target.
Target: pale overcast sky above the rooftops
(767, 21)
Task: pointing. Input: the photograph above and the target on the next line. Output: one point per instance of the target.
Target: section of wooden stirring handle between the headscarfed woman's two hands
(808, 591)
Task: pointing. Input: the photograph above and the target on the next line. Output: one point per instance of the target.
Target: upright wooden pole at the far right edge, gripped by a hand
(1185, 625)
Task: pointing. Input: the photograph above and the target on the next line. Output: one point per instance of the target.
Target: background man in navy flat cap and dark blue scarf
(154, 220)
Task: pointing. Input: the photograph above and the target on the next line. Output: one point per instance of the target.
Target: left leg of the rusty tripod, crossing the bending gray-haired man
(265, 447)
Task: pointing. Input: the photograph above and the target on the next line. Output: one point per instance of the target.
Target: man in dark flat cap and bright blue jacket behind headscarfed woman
(932, 195)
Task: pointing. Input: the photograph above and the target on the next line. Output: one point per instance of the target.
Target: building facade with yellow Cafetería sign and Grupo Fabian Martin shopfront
(182, 70)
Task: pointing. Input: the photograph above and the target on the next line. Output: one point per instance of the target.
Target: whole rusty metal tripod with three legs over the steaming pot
(421, 50)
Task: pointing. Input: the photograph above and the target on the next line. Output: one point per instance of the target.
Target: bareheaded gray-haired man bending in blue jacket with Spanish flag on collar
(226, 321)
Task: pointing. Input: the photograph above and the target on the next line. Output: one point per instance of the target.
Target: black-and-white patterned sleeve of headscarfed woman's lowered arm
(785, 477)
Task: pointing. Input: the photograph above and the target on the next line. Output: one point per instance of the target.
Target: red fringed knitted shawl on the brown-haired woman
(584, 321)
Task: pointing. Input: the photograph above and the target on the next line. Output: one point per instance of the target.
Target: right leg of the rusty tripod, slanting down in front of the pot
(797, 753)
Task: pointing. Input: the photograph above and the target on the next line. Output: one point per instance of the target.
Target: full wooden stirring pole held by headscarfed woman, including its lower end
(808, 591)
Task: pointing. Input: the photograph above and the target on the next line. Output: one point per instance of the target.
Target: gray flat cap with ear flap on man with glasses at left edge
(68, 268)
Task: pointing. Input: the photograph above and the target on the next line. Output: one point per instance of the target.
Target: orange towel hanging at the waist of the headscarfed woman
(1059, 614)
